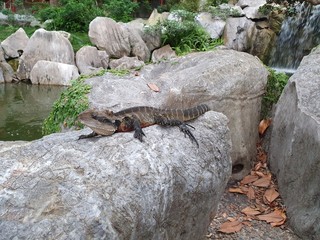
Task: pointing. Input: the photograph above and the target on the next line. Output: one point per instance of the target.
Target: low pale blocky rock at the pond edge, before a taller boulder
(53, 73)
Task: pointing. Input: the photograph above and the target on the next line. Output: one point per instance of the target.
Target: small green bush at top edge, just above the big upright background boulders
(121, 10)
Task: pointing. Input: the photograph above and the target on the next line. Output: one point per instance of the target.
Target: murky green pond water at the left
(23, 107)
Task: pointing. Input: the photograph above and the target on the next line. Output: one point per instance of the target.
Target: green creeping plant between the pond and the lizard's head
(66, 109)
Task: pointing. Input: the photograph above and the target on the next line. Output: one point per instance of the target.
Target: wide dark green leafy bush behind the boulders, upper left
(72, 15)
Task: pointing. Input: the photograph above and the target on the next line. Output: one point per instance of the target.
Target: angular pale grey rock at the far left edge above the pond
(13, 43)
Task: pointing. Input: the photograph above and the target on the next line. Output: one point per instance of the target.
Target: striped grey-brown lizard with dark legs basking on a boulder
(135, 118)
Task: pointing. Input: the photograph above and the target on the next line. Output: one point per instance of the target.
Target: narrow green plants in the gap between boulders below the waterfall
(275, 85)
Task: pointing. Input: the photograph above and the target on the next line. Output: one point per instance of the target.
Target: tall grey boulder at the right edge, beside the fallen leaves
(295, 147)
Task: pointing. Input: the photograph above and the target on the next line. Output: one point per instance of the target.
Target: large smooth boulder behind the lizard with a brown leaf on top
(228, 81)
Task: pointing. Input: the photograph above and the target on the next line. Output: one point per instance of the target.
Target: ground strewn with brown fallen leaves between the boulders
(252, 209)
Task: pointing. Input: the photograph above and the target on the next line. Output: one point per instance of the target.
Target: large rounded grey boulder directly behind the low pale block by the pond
(45, 45)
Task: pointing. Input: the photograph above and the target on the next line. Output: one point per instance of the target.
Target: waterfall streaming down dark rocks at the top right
(298, 35)
